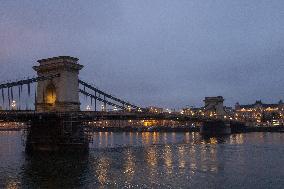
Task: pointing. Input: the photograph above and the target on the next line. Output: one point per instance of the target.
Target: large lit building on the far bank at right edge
(260, 112)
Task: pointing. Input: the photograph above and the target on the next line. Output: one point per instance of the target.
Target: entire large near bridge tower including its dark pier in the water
(57, 128)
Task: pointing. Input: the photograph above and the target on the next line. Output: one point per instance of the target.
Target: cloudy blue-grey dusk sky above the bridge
(168, 53)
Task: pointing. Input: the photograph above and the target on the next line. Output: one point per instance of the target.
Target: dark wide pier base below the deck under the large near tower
(56, 132)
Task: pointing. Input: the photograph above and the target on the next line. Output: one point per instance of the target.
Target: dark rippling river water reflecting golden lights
(149, 160)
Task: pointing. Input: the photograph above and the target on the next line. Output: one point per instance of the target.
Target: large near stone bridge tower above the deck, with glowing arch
(60, 93)
